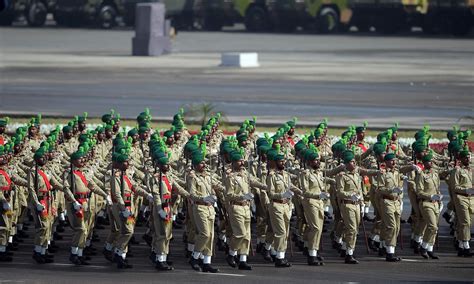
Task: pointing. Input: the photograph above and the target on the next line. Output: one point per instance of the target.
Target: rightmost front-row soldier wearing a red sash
(162, 209)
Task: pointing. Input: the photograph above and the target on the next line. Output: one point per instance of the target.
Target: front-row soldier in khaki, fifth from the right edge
(313, 182)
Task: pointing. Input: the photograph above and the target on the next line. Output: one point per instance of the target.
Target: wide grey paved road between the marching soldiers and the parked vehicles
(347, 78)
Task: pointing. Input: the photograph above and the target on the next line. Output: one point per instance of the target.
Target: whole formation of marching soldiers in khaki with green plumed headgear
(216, 184)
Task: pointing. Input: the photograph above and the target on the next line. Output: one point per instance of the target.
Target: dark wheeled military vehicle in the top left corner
(34, 11)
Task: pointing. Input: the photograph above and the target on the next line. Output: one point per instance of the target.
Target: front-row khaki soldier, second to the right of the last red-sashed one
(239, 196)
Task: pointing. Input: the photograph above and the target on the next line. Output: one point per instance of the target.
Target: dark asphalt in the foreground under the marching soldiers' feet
(448, 269)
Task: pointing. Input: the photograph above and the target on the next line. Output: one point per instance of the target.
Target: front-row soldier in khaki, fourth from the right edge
(349, 192)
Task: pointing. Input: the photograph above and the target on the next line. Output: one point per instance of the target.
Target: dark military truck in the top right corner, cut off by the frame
(434, 16)
